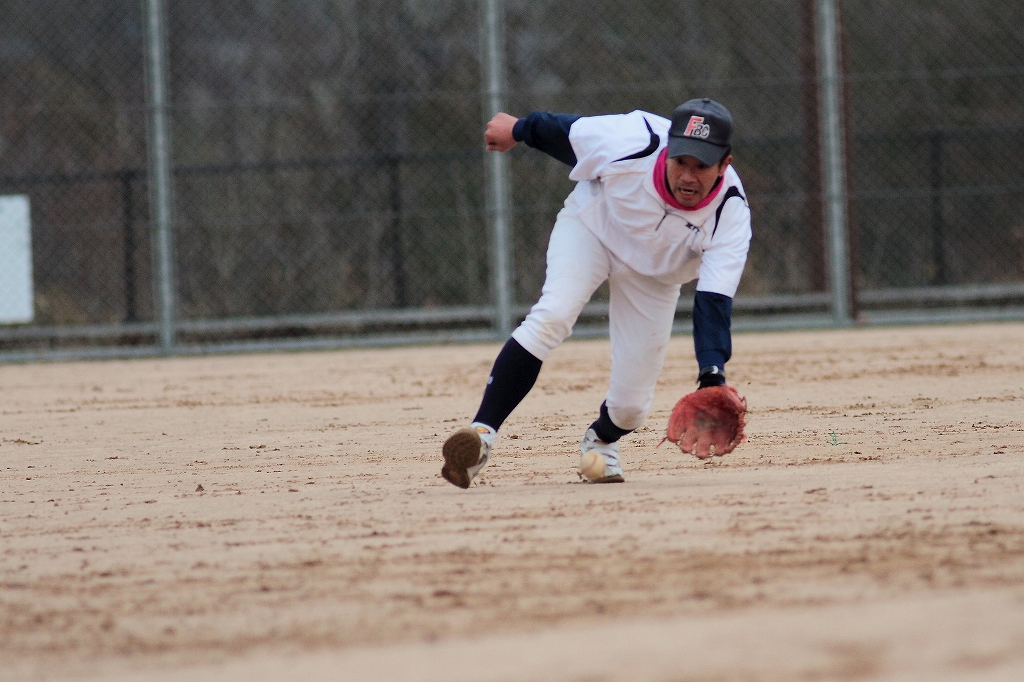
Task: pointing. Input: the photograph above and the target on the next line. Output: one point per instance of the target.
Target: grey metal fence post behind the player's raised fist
(497, 168)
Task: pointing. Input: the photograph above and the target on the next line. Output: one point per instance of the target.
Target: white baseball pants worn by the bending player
(642, 311)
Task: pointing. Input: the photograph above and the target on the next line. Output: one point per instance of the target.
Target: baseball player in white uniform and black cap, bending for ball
(657, 204)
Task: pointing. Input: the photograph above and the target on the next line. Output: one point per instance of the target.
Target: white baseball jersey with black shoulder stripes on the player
(620, 162)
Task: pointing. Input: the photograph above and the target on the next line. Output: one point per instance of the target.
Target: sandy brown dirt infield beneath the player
(282, 517)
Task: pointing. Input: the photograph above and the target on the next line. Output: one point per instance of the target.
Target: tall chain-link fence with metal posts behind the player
(327, 183)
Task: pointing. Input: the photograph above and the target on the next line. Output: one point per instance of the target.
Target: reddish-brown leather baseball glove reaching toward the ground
(709, 422)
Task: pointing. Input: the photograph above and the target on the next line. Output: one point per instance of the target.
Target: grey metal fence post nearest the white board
(160, 172)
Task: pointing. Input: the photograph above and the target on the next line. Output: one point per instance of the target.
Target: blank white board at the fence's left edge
(16, 261)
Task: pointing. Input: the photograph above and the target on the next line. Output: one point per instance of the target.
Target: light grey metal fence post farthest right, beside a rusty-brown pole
(834, 152)
